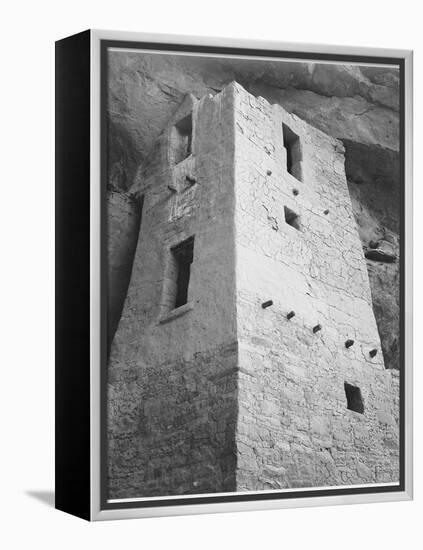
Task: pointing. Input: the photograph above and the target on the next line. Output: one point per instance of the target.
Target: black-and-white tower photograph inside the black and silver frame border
(253, 214)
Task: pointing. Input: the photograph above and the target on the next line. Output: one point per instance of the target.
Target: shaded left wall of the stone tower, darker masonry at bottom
(172, 373)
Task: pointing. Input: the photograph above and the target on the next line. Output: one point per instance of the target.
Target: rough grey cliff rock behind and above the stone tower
(358, 105)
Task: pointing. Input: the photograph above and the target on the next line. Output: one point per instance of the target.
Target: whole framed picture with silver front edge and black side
(234, 300)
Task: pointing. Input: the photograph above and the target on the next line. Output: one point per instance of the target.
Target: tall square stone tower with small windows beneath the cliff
(247, 356)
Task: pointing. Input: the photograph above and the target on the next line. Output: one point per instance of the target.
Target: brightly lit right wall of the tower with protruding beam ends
(294, 428)
